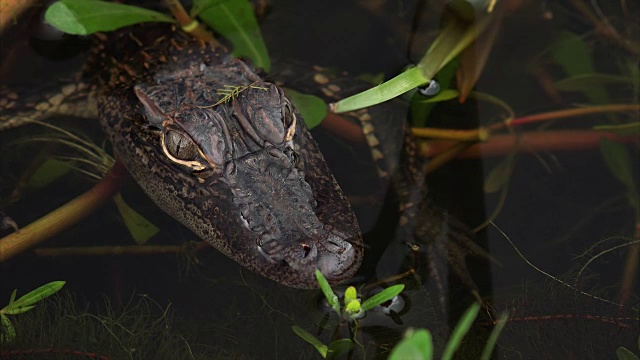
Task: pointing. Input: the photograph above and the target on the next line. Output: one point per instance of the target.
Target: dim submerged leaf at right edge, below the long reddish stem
(617, 158)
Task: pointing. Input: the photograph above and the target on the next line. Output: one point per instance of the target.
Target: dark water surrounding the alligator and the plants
(558, 204)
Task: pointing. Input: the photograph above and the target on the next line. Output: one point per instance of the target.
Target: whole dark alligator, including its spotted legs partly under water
(227, 154)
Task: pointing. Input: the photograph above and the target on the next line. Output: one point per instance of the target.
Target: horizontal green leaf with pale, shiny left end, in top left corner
(83, 17)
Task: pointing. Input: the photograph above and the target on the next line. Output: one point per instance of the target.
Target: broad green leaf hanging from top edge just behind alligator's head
(234, 20)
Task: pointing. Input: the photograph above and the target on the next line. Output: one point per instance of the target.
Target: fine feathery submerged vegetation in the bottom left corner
(62, 328)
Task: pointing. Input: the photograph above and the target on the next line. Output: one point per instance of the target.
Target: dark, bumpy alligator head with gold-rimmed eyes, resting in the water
(228, 155)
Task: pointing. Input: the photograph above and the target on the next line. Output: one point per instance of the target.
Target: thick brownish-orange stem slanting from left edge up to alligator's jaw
(63, 217)
